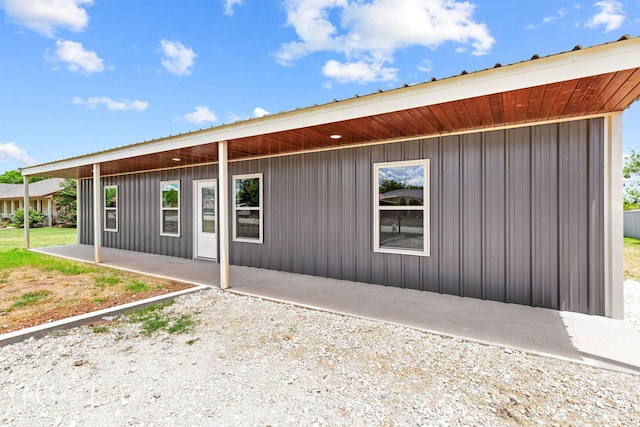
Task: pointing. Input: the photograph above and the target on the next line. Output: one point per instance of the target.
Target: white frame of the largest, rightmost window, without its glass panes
(425, 208)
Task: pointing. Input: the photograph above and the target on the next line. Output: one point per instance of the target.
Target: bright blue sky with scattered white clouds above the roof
(80, 76)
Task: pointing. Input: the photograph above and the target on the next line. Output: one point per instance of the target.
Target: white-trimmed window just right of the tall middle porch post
(247, 208)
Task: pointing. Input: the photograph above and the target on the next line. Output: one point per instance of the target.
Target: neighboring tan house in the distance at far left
(41, 195)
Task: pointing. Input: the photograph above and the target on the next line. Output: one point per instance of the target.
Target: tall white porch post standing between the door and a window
(223, 213)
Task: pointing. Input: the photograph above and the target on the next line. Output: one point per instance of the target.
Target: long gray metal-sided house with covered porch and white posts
(519, 169)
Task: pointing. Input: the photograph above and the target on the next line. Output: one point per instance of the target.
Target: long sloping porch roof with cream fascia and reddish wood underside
(587, 82)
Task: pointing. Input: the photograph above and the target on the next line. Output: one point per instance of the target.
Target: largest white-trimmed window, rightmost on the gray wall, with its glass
(401, 207)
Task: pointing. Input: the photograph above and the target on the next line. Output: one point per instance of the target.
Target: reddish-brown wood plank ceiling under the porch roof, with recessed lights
(600, 94)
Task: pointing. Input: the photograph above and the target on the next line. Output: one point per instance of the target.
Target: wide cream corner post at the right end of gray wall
(613, 218)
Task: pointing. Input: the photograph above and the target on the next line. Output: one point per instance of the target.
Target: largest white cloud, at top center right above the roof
(369, 33)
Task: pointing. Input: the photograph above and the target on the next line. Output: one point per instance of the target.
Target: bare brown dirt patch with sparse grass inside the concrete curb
(60, 296)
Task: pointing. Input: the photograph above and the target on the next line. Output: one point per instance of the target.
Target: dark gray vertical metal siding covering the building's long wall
(516, 215)
